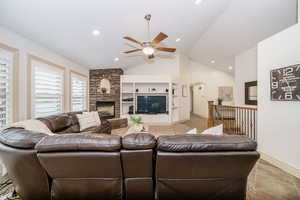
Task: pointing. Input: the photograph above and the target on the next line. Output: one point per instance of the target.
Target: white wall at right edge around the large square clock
(278, 122)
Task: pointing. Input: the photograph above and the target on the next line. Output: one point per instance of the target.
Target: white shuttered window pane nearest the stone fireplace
(78, 92)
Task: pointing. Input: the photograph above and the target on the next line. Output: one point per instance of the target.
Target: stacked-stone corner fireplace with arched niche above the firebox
(106, 103)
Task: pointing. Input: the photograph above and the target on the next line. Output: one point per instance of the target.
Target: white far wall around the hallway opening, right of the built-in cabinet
(212, 80)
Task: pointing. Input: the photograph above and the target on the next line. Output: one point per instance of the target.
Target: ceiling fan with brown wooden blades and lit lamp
(148, 48)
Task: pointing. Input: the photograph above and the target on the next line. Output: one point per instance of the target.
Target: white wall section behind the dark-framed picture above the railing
(245, 71)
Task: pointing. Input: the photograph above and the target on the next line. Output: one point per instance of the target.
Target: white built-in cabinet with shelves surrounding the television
(135, 85)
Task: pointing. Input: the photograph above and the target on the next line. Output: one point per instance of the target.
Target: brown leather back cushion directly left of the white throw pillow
(57, 123)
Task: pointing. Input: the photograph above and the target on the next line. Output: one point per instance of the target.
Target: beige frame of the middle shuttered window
(31, 60)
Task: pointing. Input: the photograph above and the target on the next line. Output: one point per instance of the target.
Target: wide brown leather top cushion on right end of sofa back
(205, 143)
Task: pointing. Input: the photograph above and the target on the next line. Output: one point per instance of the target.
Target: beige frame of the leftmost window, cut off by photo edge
(14, 116)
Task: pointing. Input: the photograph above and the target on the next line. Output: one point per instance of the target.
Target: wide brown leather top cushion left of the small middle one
(79, 142)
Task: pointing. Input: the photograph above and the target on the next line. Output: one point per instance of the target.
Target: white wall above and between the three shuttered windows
(26, 47)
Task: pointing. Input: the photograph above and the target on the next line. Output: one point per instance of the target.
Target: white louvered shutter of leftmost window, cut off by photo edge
(6, 63)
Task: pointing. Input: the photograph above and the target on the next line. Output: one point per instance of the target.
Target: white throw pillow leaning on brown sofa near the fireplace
(88, 119)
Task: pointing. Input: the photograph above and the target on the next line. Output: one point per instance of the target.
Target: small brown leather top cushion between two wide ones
(138, 141)
